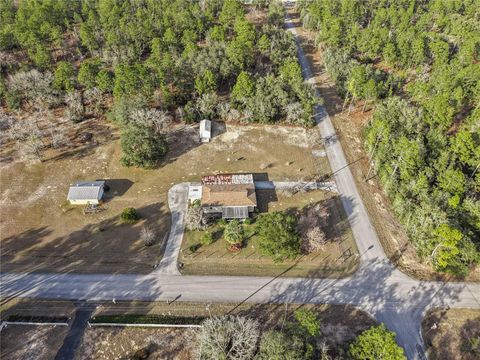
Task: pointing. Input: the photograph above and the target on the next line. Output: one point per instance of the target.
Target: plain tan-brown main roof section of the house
(229, 195)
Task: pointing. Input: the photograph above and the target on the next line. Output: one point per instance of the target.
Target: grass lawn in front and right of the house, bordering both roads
(327, 262)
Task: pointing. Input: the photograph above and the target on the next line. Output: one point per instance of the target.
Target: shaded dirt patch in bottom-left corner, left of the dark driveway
(20, 342)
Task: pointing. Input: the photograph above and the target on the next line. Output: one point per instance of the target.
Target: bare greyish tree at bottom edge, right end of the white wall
(228, 337)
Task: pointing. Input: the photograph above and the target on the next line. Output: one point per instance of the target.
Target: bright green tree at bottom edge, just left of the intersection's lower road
(376, 343)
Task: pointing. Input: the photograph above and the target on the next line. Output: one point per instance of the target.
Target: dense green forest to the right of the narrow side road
(417, 64)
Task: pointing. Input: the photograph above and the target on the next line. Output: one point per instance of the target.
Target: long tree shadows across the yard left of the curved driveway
(104, 246)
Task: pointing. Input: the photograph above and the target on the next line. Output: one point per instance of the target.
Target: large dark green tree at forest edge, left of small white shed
(141, 146)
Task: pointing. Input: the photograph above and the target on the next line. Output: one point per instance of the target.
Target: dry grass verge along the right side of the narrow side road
(349, 126)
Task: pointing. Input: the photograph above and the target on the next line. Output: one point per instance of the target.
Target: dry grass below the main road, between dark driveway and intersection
(340, 324)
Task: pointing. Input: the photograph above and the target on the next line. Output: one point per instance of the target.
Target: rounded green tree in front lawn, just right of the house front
(278, 237)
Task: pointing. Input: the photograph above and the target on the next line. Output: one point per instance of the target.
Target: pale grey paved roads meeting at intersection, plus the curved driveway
(377, 287)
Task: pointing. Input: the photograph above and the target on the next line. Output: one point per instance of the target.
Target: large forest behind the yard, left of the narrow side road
(145, 64)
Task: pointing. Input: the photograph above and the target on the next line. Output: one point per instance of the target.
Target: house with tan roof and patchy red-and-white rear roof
(232, 196)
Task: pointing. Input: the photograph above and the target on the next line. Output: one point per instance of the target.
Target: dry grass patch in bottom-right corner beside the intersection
(455, 329)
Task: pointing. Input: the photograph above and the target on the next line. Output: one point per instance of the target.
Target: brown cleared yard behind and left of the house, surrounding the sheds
(40, 232)
